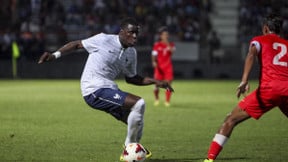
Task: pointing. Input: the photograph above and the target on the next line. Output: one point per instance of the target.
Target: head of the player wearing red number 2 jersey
(272, 23)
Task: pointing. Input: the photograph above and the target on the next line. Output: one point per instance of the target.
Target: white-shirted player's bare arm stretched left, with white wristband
(71, 46)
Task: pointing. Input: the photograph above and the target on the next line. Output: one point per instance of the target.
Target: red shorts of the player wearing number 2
(265, 98)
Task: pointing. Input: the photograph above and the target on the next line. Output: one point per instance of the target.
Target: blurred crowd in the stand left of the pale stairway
(44, 24)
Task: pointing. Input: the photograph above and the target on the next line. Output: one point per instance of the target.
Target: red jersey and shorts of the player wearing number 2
(273, 80)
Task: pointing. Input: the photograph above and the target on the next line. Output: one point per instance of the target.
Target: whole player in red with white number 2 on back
(271, 51)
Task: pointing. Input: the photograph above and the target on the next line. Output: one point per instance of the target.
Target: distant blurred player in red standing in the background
(162, 64)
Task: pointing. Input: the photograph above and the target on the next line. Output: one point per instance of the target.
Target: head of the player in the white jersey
(129, 30)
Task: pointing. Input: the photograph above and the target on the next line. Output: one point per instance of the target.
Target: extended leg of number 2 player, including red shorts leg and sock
(254, 105)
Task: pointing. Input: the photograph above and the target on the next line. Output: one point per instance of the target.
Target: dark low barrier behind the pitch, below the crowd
(71, 66)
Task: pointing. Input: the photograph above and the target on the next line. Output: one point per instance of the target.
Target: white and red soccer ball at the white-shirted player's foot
(134, 152)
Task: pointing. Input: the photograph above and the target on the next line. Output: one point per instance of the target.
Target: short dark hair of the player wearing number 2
(274, 22)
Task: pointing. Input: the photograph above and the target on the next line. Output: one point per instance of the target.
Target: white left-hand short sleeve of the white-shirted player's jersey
(91, 44)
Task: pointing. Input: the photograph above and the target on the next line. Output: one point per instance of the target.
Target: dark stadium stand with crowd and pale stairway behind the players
(39, 25)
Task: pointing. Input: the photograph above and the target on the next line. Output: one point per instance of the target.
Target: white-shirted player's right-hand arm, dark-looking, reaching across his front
(139, 80)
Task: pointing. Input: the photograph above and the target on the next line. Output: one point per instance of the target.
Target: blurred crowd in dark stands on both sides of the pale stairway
(59, 21)
